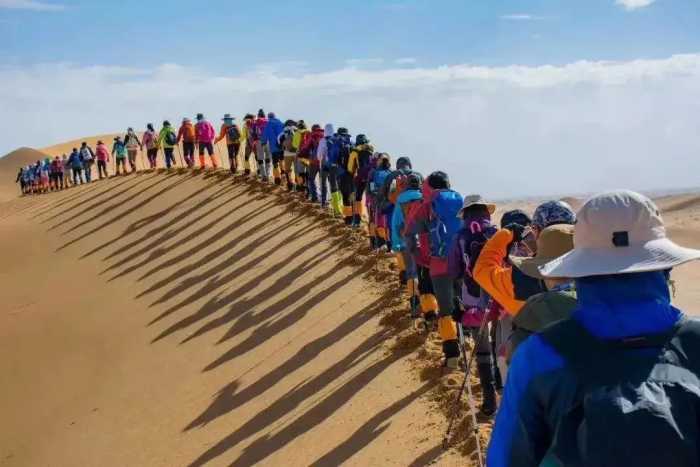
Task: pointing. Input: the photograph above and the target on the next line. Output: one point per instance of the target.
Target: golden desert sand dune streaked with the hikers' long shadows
(179, 318)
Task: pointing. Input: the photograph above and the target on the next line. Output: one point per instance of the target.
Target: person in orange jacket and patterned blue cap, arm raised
(509, 286)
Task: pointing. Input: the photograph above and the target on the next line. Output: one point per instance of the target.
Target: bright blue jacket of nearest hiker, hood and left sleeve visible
(609, 307)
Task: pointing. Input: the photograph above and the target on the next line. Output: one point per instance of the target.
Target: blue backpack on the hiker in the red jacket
(444, 223)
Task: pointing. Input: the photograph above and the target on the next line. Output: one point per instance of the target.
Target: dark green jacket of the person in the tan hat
(540, 311)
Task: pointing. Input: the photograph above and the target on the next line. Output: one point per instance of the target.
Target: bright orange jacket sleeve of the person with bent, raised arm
(493, 276)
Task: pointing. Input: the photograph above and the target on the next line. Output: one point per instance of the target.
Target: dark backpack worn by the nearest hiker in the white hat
(630, 401)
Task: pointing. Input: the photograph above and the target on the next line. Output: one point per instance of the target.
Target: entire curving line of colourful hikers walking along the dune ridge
(569, 314)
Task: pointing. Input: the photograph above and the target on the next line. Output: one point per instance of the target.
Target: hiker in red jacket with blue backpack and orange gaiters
(437, 216)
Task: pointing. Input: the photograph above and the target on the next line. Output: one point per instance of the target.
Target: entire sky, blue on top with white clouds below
(510, 97)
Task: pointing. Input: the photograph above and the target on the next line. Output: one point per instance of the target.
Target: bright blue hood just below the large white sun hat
(625, 305)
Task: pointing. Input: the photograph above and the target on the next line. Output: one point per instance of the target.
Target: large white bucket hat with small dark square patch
(619, 232)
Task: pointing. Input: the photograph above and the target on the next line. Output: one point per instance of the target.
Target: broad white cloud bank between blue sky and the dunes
(502, 131)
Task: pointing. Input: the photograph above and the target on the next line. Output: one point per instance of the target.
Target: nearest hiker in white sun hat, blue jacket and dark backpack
(617, 384)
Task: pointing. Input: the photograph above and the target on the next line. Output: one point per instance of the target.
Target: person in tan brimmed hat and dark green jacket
(559, 299)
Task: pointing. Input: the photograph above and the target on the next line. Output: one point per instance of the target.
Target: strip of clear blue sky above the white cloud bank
(236, 35)
